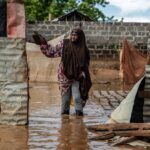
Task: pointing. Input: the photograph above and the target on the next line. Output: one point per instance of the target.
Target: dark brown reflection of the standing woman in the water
(73, 134)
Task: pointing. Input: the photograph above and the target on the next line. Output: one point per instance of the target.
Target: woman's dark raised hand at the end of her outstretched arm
(39, 39)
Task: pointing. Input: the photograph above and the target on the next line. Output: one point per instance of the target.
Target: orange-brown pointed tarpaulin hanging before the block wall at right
(132, 64)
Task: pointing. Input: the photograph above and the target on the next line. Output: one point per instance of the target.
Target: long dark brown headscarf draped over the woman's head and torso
(75, 56)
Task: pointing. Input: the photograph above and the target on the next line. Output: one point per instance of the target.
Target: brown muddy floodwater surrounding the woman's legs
(48, 130)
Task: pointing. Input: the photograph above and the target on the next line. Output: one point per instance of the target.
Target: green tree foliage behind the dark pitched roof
(40, 9)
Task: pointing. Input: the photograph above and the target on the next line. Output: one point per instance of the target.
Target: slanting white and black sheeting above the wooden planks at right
(134, 108)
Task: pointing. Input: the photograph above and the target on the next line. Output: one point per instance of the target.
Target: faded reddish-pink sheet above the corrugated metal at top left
(15, 19)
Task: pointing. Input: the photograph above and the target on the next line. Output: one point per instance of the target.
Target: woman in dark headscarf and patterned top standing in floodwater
(73, 72)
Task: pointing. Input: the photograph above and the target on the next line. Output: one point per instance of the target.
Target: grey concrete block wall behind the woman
(103, 39)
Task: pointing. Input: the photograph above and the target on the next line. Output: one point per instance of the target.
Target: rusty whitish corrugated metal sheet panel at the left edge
(13, 82)
